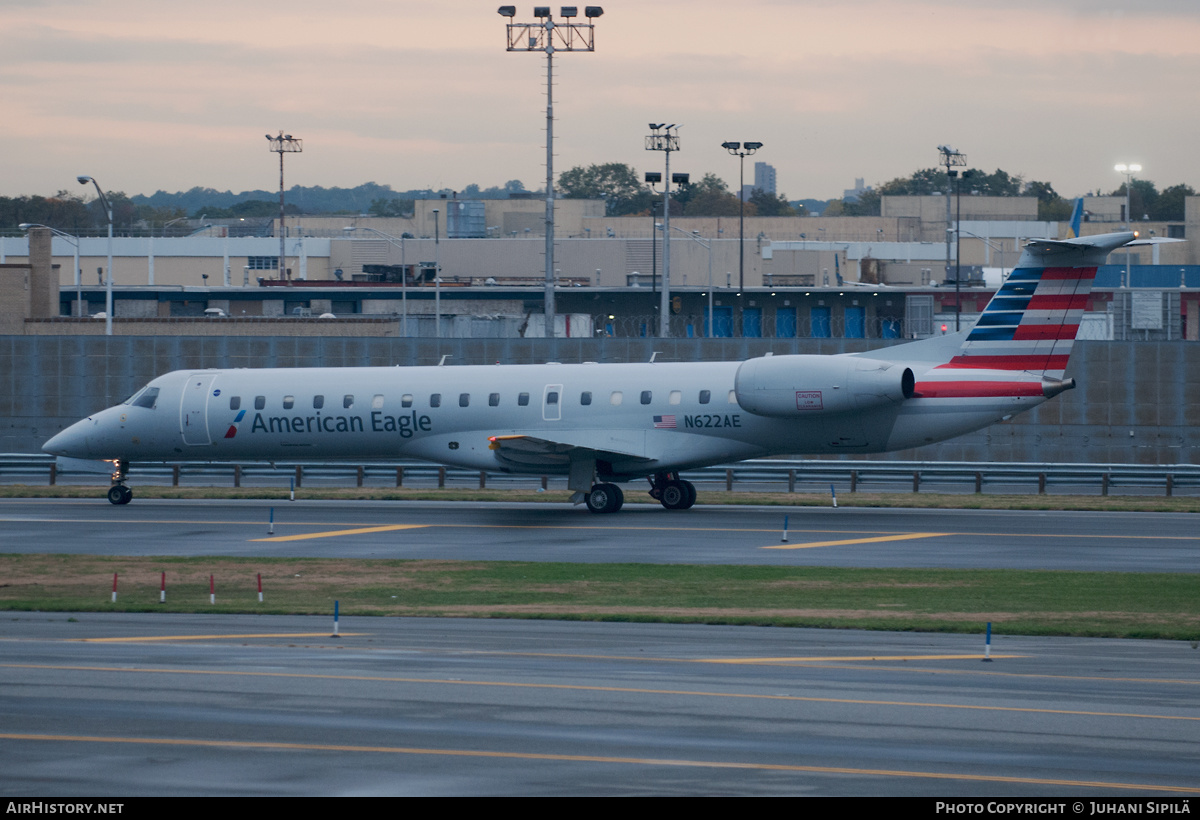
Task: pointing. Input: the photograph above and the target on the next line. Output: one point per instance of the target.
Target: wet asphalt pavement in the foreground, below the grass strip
(125, 705)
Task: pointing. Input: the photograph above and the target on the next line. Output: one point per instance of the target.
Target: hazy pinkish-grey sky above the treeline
(148, 95)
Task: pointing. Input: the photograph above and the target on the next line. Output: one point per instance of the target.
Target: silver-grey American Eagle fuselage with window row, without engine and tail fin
(645, 418)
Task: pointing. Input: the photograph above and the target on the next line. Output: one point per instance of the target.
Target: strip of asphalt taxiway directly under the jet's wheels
(844, 537)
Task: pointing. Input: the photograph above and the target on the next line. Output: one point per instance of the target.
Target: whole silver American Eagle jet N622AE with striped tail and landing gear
(602, 424)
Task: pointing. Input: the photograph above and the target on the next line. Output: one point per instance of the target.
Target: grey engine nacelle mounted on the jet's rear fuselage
(796, 386)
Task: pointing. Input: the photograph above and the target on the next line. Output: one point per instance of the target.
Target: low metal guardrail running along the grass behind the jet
(755, 476)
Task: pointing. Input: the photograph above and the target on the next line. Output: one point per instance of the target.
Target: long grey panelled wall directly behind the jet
(1137, 403)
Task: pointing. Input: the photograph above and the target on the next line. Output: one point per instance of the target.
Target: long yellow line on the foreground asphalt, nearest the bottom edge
(597, 759)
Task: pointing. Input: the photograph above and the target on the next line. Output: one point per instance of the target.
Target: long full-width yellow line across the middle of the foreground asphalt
(628, 691)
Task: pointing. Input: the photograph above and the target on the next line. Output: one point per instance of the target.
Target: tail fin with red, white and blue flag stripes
(1031, 322)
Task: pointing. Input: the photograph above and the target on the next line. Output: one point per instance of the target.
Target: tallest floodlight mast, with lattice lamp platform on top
(549, 37)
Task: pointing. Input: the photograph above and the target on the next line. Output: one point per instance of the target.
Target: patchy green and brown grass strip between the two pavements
(1150, 606)
